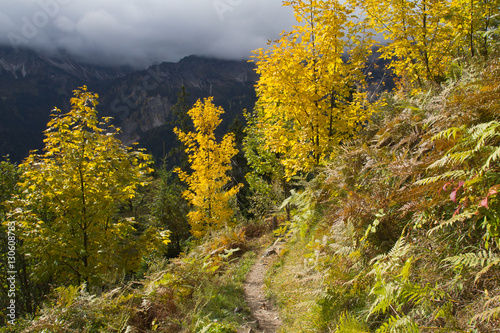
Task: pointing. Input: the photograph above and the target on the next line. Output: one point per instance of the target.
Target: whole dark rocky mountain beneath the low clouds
(140, 102)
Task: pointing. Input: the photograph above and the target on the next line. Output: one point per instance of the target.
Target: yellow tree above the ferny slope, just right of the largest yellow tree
(419, 41)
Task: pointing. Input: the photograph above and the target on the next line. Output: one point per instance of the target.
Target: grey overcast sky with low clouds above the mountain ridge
(143, 32)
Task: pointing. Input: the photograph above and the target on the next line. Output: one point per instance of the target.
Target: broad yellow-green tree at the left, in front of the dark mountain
(71, 195)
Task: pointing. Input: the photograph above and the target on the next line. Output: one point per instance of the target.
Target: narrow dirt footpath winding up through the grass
(266, 319)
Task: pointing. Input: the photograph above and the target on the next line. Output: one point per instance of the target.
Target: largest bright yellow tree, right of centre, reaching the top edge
(311, 83)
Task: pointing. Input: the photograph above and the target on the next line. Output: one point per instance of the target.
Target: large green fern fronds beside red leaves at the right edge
(471, 161)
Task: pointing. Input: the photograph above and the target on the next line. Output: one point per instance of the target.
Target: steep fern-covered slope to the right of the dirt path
(400, 230)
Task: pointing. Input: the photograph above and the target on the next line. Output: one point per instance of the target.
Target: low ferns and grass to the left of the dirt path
(200, 291)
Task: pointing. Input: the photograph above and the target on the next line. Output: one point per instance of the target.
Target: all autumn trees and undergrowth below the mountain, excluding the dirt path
(386, 203)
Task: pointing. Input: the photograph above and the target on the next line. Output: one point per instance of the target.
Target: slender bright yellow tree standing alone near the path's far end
(209, 190)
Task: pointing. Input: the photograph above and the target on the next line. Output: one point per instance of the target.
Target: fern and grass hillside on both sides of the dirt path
(392, 235)
